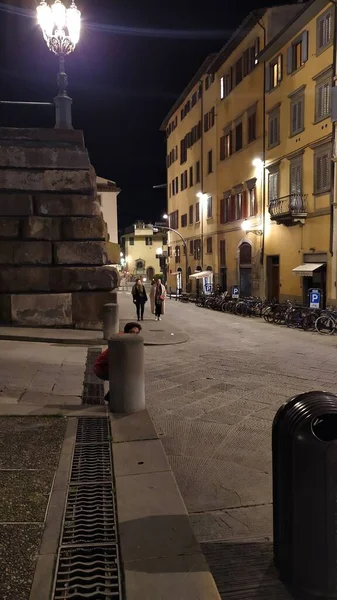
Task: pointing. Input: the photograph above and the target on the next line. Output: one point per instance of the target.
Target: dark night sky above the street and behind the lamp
(131, 64)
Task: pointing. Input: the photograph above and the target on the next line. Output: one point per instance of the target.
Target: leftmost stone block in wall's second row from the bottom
(24, 279)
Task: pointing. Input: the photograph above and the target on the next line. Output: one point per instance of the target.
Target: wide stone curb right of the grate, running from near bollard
(160, 554)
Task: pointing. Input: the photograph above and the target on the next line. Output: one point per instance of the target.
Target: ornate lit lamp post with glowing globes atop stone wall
(61, 30)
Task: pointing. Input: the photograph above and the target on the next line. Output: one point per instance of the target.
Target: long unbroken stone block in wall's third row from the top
(48, 180)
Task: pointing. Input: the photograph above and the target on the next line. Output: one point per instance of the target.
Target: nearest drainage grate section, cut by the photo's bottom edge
(88, 573)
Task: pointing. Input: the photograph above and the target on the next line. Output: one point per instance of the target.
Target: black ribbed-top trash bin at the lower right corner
(304, 441)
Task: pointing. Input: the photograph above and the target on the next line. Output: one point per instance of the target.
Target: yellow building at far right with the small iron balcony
(299, 65)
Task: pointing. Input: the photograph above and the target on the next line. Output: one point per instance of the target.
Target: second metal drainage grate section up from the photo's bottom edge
(90, 516)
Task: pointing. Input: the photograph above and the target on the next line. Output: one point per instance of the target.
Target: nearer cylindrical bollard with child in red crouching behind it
(126, 374)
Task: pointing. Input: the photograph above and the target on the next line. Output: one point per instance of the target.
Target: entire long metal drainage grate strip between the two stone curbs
(88, 564)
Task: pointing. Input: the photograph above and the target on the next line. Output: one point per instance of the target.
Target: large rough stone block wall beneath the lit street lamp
(54, 257)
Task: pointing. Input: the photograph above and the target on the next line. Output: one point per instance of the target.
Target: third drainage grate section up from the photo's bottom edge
(91, 463)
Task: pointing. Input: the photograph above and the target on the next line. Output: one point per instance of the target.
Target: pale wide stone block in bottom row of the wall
(41, 310)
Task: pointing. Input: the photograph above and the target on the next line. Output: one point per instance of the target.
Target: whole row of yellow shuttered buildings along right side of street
(243, 132)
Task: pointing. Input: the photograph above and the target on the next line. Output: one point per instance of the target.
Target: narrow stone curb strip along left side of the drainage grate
(46, 562)
